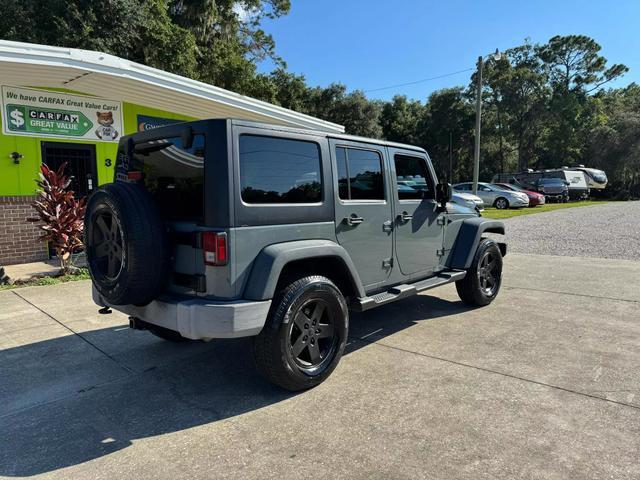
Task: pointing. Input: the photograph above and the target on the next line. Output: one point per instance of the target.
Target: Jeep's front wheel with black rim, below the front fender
(484, 277)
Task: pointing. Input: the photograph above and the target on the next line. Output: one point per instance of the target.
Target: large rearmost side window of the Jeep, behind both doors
(279, 170)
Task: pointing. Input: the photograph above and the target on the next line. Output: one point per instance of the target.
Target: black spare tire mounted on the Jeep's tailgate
(126, 244)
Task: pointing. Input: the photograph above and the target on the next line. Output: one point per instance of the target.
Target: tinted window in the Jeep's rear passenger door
(359, 174)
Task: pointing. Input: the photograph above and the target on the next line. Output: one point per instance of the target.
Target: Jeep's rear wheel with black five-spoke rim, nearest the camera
(304, 336)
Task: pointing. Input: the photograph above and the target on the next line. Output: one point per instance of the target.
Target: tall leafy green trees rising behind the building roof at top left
(218, 42)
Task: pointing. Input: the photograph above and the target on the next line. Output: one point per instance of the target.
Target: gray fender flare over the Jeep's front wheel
(468, 239)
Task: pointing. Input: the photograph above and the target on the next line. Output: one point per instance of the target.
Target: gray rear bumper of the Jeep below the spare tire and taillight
(199, 318)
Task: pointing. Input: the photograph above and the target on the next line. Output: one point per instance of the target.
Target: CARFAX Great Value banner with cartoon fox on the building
(27, 111)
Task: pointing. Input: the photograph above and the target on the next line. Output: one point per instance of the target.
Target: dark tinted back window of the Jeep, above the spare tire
(174, 176)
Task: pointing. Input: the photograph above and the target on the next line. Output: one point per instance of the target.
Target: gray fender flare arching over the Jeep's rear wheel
(268, 265)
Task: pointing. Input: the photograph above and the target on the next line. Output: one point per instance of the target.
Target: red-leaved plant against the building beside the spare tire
(61, 214)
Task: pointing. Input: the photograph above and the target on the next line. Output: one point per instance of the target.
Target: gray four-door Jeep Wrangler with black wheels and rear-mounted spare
(229, 228)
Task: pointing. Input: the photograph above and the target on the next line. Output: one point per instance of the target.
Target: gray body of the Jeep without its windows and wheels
(377, 254)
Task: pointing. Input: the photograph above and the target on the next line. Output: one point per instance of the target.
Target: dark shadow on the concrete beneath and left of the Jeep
(214, 383)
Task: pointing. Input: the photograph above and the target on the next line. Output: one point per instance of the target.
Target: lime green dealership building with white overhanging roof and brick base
(70, 105)
